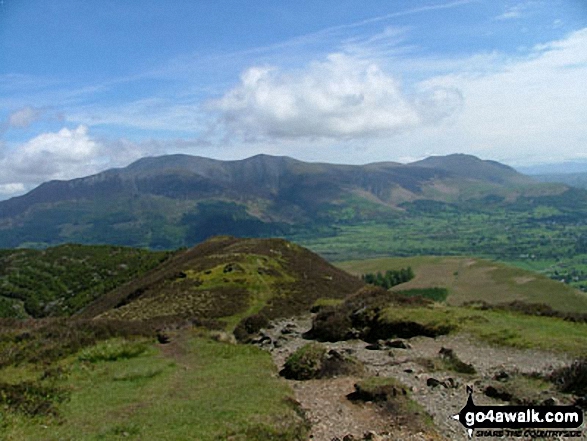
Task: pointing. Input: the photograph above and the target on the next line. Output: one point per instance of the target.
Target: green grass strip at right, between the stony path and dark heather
(499, 327)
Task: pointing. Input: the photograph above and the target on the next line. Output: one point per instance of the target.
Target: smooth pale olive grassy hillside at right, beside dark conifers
(473, 279)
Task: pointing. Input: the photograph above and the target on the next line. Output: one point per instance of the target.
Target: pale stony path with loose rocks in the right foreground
(441, 393)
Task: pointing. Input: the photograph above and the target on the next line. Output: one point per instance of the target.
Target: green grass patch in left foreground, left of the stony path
(200, 389)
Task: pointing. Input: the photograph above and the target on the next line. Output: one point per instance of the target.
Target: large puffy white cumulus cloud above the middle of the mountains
(341, 97)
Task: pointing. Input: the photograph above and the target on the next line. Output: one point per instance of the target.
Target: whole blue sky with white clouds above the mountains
(87, 86)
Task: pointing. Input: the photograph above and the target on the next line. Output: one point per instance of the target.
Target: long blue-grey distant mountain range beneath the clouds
(179, 200)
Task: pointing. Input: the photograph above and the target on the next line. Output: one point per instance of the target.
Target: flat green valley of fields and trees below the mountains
(540, 238)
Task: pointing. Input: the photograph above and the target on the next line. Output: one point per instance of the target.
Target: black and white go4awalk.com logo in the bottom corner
(526, 421)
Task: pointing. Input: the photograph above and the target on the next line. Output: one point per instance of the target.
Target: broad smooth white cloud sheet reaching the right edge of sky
(525, 109)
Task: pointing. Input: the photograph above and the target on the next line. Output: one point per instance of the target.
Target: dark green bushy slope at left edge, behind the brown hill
(62, 280)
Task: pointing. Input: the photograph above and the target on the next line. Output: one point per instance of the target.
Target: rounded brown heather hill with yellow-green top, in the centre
(228, 279)
